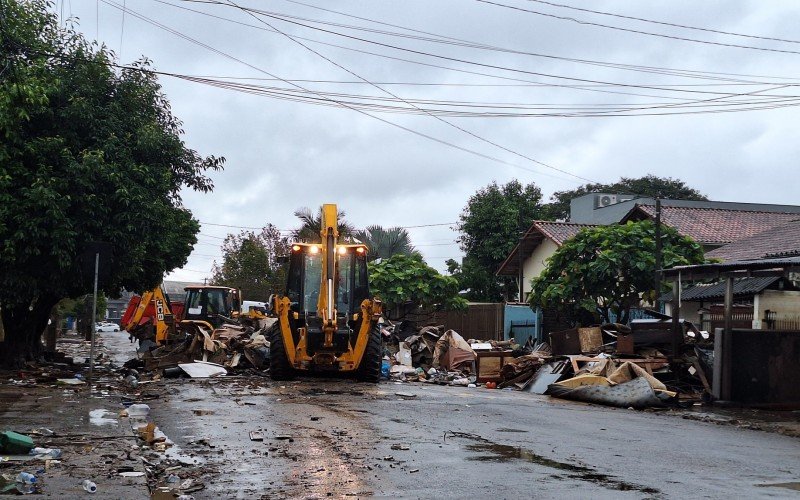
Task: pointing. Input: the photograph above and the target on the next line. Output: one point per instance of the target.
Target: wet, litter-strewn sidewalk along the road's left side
(97, 443)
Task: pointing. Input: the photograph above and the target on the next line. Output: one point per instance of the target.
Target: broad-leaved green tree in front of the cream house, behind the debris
(609, 269)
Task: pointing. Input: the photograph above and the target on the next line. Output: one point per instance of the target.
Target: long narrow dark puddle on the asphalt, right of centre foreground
(492, 452)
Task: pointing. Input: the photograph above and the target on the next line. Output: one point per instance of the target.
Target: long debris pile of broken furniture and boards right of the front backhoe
(611, 364)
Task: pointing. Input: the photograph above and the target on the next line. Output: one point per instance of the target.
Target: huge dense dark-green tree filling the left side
(86, 154)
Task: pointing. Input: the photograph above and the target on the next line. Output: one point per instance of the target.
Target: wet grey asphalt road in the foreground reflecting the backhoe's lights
(340, 438)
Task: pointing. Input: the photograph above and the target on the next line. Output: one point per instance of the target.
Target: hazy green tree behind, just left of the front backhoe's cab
(249, 262)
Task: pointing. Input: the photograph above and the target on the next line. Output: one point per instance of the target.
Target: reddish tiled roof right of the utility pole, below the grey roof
(713, 226)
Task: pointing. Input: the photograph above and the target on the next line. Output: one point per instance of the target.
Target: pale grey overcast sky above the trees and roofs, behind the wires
(586, 120)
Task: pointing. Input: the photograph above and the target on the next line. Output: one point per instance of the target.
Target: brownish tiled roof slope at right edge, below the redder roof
(782, 240)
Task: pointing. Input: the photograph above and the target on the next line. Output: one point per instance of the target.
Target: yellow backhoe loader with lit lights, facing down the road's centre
(327, 321)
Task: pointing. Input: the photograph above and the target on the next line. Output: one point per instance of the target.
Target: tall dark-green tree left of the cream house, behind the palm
(491, 225)
